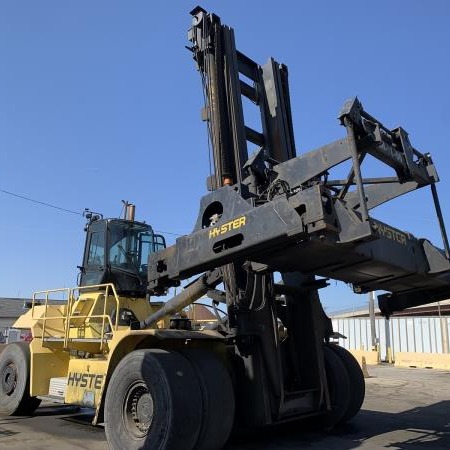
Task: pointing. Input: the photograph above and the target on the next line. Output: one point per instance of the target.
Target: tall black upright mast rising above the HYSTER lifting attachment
(226, 74)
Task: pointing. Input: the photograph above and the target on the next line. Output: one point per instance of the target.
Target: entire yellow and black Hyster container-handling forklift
(270, 233)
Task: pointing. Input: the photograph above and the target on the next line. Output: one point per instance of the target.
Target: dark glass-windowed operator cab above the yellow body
(116, 251)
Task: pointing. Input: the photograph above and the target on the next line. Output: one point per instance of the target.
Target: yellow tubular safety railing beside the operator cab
(69, 315)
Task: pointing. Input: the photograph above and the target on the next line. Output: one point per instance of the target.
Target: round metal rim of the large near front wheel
(138, 410)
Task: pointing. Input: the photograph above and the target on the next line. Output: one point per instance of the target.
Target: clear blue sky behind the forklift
(100, 101)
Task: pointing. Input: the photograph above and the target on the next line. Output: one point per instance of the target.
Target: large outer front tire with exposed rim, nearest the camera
(153, 401)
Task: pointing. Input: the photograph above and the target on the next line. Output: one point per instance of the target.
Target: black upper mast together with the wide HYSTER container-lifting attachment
(282, 212)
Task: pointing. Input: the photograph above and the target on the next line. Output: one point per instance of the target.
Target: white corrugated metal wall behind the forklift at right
(405, 334)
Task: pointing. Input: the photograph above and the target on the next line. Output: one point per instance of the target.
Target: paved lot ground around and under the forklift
(404, 409)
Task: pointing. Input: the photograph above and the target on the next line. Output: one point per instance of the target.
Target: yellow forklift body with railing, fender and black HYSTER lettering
(78, 337)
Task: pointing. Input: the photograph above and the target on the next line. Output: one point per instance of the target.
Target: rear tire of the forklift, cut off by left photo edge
(15, 399)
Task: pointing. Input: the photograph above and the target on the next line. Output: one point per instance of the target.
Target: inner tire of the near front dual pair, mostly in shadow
(218, 399)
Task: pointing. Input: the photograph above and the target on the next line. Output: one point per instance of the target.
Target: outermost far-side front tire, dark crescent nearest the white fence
(356, 378)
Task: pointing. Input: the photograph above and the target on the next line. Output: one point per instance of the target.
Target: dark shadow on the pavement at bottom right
(419, 428)
